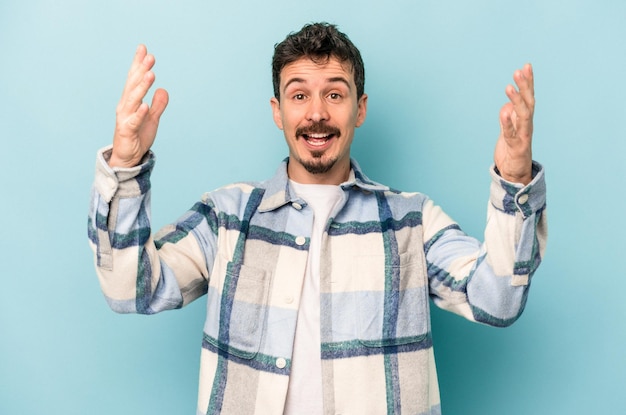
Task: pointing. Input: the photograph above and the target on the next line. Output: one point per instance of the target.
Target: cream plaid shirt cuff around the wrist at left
(119, 181)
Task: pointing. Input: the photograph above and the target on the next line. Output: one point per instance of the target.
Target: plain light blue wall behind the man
(435, 74)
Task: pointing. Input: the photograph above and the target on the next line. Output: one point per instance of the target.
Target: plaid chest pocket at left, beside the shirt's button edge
(242, 310)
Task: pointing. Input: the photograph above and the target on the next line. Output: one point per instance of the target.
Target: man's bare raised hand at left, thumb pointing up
(136, 123)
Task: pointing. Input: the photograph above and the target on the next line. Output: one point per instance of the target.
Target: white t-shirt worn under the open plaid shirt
(304, 396)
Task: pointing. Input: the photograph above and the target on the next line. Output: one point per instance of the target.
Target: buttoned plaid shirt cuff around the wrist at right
(512, 198)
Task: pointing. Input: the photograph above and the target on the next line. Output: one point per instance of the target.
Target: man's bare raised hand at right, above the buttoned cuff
(513, 153)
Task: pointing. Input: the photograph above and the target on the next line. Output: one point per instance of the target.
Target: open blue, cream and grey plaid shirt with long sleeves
(384, 254)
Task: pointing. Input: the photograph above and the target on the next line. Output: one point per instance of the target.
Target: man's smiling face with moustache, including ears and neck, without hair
(318, 113)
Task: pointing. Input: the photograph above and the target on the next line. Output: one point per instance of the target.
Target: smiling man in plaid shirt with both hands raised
(317, 280)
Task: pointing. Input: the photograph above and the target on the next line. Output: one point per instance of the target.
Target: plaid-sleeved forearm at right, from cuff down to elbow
(515, 239)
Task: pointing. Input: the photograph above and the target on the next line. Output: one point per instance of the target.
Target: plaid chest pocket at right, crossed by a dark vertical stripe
(392, 300)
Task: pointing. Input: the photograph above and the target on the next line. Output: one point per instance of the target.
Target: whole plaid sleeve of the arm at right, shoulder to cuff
(488, 282)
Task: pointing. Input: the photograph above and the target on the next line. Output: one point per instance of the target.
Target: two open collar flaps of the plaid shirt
(278, 192)
